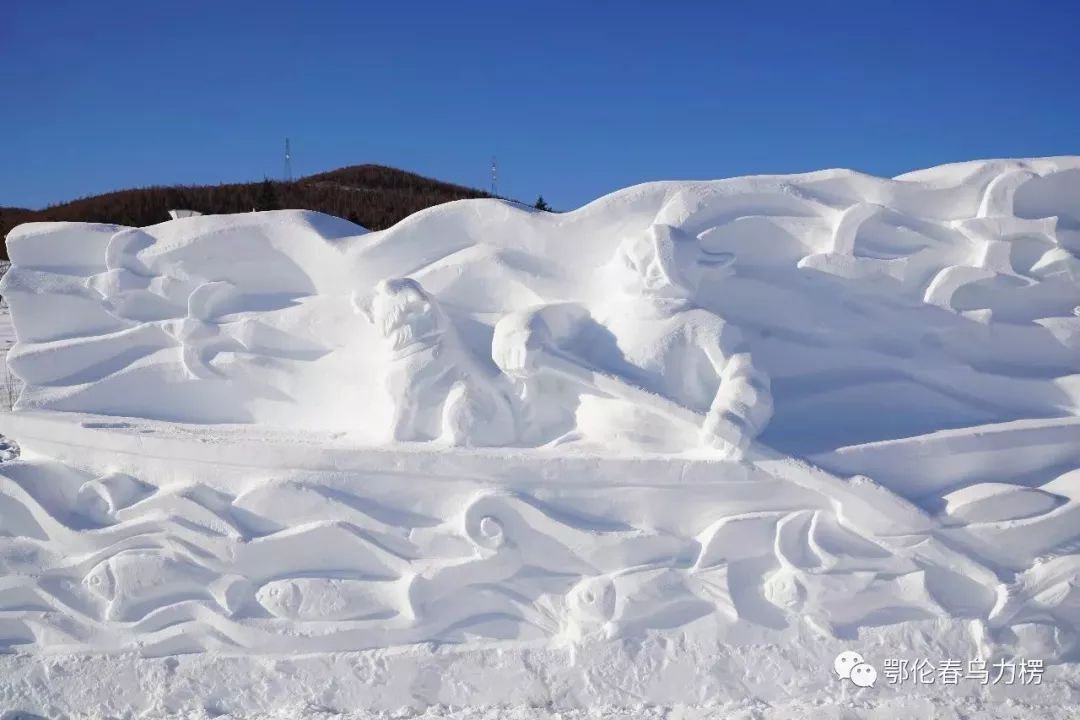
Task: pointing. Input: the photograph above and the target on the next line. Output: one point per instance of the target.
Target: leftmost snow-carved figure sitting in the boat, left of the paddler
(439, 391)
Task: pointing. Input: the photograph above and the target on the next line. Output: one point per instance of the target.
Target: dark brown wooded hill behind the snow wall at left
(373, 196)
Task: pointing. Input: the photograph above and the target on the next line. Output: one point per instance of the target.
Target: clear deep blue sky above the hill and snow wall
(576, 99)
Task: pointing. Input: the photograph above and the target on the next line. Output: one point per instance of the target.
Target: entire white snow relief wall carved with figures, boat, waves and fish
(690, 452)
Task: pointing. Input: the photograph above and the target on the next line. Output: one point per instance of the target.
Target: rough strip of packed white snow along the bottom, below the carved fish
(333, 687)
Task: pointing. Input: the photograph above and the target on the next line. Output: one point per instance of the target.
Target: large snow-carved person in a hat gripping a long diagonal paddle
(647, 369)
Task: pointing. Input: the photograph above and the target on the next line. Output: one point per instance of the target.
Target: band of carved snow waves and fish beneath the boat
(307, 564)
